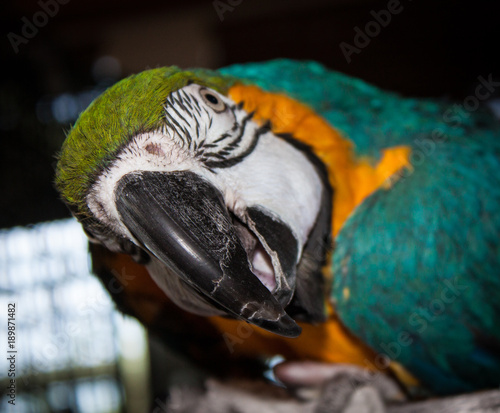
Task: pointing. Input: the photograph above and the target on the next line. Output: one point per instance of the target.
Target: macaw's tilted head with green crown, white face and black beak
(229, 218)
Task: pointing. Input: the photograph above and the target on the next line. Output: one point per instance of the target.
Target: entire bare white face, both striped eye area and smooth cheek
(210, 135)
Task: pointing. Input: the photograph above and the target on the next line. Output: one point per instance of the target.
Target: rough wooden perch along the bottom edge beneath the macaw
(257, 396)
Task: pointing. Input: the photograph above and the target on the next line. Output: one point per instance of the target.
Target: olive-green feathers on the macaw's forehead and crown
(132, 106)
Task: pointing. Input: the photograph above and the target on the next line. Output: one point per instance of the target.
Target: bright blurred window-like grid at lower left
(68, 340)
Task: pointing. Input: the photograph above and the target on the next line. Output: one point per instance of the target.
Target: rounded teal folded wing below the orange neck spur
(421, 261)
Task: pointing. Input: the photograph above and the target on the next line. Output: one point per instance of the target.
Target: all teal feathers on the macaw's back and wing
(421, 260)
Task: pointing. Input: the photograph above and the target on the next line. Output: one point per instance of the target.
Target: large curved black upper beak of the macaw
(182, 220)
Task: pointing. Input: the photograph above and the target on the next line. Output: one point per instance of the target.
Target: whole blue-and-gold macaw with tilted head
(283, 208)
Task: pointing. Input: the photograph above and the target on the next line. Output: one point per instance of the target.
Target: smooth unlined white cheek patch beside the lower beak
(279, 178)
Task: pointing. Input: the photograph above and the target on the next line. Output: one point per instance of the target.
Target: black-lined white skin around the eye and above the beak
(197, 134)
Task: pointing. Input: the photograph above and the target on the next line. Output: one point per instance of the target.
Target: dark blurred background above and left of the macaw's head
(51, 72)
